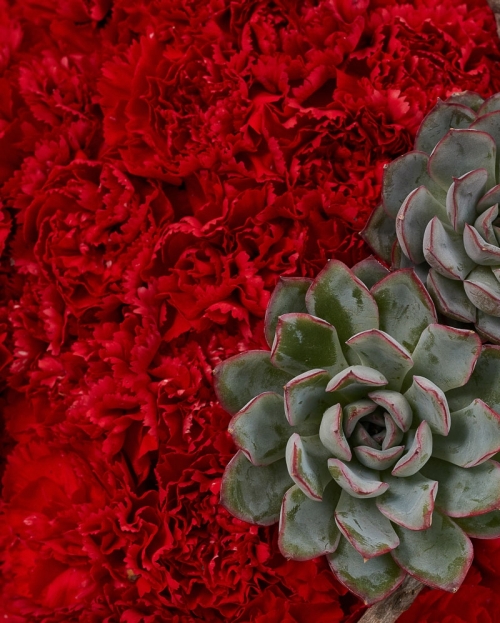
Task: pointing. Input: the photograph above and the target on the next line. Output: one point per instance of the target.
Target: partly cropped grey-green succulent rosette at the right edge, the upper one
(440, 205)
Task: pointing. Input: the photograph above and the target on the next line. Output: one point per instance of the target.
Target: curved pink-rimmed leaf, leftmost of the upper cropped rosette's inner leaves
(418, 209)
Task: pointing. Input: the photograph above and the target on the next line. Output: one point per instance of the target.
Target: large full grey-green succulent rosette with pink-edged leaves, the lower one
(367, 431)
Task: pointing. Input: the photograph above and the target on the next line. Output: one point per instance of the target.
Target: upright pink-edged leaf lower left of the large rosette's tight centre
(306, 458)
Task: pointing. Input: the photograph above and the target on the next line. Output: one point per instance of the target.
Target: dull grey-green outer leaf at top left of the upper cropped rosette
(439, 121)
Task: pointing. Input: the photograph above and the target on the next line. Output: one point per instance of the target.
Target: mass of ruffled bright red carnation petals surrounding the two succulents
(161, 164)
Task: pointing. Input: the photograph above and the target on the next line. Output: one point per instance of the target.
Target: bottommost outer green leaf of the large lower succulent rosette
(371, 580)
